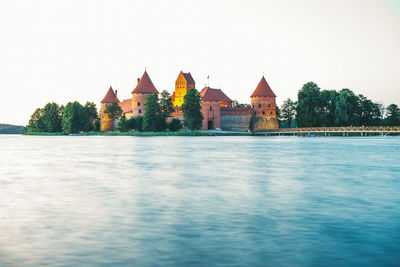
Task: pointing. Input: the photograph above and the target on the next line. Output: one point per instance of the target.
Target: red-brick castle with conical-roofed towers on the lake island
(216, 106)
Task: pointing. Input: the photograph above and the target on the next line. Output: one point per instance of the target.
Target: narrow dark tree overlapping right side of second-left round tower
(151, 118)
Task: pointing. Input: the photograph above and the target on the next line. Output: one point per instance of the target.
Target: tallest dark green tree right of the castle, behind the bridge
(308, 104)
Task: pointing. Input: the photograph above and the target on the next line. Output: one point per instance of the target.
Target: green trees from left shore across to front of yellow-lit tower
(76, 118)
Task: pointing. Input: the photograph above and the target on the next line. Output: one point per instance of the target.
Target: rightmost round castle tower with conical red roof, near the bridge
(264, 107)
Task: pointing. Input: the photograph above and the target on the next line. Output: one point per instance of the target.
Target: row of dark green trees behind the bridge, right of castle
(330, 108)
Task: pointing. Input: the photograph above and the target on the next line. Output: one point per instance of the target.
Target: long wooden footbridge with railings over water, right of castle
(335, 131)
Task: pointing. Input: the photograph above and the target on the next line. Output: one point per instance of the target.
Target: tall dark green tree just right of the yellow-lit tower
(191, 108)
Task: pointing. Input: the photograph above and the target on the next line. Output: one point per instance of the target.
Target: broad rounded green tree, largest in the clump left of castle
(74, 119)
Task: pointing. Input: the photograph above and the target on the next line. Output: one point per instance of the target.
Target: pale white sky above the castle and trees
(61, 51)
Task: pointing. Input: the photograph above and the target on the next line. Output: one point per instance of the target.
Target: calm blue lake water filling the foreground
(199, 201)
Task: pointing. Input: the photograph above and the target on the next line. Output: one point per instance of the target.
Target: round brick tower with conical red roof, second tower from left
(144, 87)
